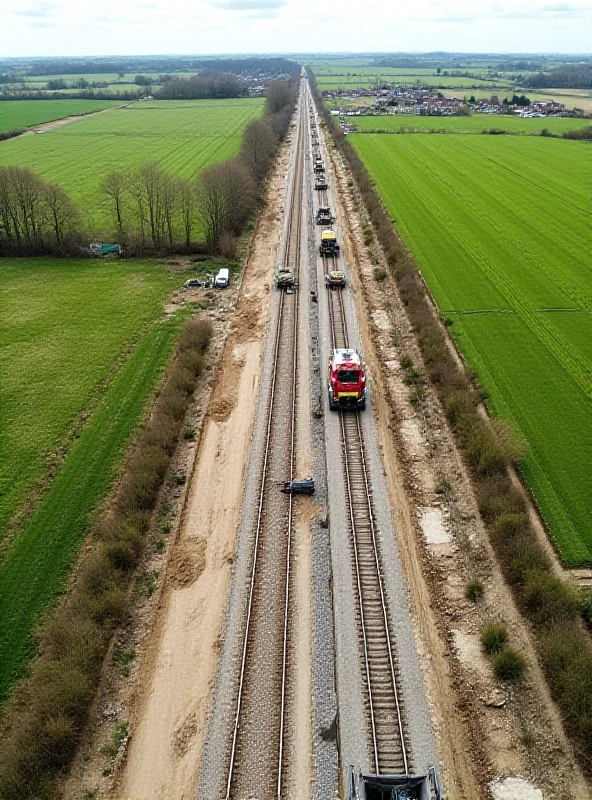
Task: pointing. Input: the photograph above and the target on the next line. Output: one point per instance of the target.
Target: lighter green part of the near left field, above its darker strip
(64, 325)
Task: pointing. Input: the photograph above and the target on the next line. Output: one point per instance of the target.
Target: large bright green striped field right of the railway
(501, 229)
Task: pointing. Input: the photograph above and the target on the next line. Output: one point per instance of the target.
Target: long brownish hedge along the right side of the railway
(552, 606)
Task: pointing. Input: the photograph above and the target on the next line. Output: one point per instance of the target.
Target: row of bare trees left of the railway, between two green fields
(151, 210)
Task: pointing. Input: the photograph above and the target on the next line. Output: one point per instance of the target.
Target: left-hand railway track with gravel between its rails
(257, 760)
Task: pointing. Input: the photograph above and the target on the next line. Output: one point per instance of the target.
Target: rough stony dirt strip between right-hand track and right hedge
(484, 729)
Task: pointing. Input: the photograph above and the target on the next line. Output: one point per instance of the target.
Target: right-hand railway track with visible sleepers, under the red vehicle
(381, 680)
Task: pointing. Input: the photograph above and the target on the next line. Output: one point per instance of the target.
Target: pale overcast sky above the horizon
(110, 27)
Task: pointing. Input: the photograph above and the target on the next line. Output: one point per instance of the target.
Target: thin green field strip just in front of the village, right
(411, 123)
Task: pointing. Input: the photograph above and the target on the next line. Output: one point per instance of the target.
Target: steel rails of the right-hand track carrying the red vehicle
(340, 339)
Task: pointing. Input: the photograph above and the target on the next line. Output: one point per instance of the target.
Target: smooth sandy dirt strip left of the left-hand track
(164, 704)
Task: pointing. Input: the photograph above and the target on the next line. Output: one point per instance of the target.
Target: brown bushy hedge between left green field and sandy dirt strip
(47, 712)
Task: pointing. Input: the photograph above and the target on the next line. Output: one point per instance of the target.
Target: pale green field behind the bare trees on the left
(182, 136)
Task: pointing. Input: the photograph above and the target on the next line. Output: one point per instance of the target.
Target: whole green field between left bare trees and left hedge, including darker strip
(80, 338)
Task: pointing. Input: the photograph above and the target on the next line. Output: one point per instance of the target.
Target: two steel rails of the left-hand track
(296, 189)
